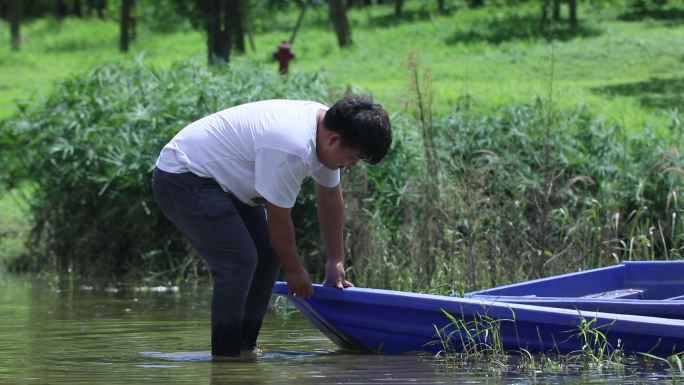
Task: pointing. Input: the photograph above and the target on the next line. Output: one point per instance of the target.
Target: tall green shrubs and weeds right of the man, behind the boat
(519, 193)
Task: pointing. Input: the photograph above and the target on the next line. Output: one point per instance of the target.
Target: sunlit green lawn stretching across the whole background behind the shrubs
(628, 72)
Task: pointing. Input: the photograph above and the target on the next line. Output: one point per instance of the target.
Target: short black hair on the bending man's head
(363, 125)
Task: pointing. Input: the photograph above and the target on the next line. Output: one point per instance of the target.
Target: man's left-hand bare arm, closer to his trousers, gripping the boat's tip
(283, 240)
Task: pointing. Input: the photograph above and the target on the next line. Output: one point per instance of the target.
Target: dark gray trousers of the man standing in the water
(233, 238)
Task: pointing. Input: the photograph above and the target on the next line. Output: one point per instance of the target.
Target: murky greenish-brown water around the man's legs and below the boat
(94, 336)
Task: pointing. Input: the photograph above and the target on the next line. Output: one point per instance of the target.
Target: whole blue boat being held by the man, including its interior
(393, 322)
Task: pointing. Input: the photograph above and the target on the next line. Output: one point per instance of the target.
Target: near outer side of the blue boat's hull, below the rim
(393, 322)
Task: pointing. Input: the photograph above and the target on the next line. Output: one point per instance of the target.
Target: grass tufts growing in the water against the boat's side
(477, 345)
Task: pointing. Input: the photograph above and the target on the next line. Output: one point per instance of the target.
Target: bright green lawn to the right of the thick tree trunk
(627, 71)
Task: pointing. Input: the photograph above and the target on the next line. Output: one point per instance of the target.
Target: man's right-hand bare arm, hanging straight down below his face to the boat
(330, 208)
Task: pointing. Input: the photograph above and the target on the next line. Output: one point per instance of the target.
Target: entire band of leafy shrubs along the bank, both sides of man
(475, 200)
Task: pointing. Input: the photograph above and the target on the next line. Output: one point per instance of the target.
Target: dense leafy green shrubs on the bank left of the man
(89, 149)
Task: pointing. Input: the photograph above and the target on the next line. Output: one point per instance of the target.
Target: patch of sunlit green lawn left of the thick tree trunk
(52, 51)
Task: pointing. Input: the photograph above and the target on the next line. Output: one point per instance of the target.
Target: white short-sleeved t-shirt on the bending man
(256, 150)
